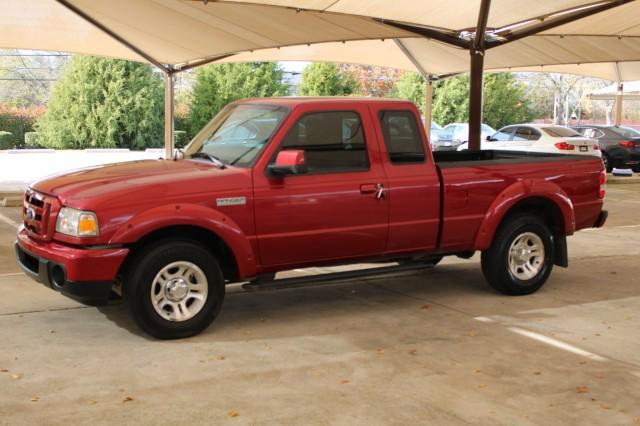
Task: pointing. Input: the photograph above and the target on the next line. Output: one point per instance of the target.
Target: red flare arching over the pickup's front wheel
(170, 215)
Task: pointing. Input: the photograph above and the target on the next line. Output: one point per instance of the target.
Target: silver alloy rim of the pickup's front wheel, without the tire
(179, 291)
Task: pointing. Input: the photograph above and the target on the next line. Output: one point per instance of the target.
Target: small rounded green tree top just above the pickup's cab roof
(327, 79)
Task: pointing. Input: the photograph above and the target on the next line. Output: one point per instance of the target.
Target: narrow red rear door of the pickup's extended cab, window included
(413, 184)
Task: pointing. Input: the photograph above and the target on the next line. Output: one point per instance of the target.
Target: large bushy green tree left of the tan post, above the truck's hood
(104, 103)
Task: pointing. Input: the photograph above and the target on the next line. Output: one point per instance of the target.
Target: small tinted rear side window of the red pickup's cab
(402, 137)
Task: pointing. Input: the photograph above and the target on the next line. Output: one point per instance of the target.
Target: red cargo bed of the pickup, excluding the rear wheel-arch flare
(473, 180)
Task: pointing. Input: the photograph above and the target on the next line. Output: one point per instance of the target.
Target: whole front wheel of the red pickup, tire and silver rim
(174, 289)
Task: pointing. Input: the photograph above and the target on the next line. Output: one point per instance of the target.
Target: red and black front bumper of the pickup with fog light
(83, 274)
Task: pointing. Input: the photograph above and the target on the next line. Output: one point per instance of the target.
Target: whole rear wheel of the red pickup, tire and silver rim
(520, 258)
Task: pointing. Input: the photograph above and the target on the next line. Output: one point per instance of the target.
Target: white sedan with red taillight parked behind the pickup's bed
(540, 138)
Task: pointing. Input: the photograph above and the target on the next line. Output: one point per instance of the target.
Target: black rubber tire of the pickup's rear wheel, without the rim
(495, 260)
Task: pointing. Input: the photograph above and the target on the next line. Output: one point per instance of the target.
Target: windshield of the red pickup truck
(238, 134)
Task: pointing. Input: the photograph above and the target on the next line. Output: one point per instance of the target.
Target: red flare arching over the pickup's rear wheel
(516, 193)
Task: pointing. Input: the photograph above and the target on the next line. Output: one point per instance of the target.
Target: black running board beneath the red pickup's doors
(312, 280)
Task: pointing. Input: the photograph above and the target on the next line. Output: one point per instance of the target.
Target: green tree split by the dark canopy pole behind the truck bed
(504, 103)
